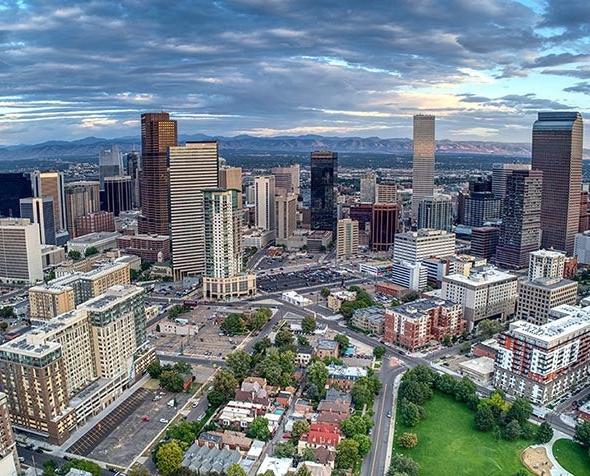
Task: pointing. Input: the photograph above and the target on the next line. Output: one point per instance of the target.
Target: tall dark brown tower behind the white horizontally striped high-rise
(158, 132)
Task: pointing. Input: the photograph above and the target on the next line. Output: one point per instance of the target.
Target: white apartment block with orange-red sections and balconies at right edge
(544, 362)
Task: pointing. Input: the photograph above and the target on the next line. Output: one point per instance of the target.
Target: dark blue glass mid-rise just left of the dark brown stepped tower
(480, 205)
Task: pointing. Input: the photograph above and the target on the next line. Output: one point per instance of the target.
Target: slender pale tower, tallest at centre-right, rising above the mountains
(423, 161)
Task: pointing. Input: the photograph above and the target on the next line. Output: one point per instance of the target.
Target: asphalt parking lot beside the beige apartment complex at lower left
(125, 432)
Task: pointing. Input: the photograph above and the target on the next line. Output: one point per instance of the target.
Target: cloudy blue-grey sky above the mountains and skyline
(70, 69)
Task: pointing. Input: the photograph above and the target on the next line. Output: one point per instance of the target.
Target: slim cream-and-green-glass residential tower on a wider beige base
(223, 278)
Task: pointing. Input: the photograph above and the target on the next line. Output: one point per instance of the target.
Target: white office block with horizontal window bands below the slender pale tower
(415, 246)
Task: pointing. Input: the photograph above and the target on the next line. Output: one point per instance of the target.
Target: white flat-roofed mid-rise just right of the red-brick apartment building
(487, 293)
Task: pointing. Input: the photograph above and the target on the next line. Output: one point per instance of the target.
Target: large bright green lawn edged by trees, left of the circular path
(449, 444)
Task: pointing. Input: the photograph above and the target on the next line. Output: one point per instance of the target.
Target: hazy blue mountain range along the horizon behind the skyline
(89, 147)
